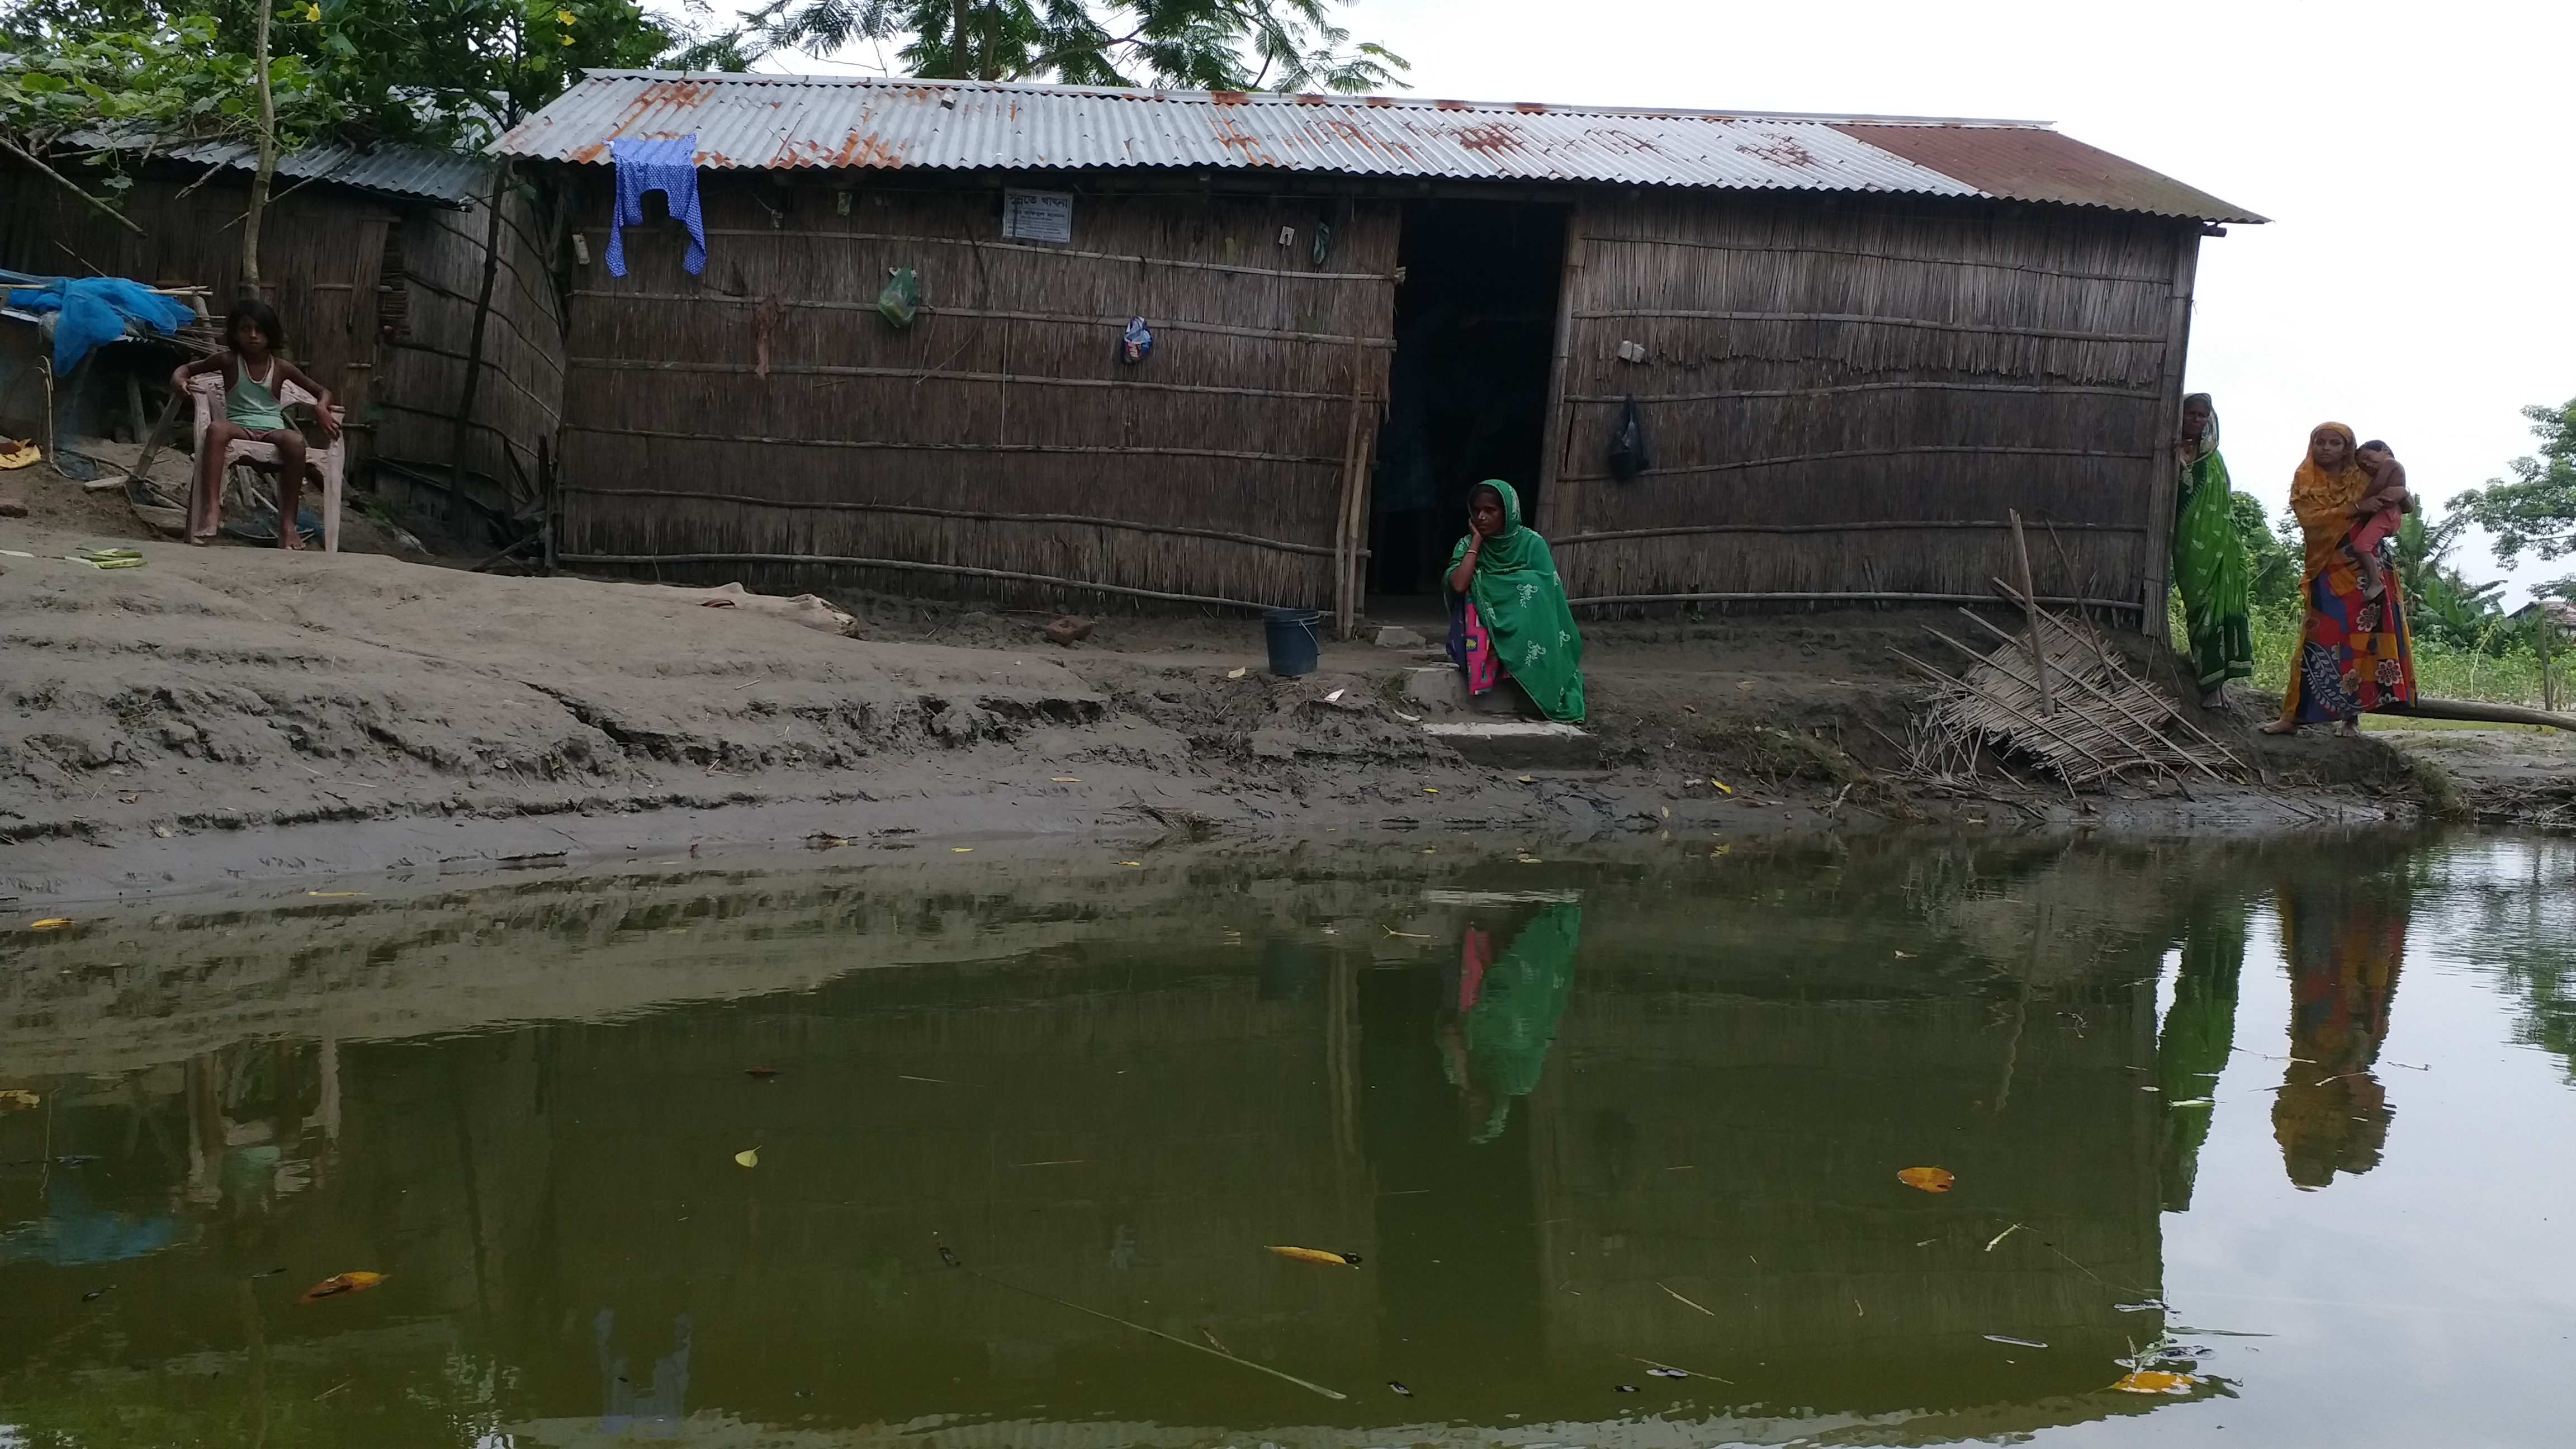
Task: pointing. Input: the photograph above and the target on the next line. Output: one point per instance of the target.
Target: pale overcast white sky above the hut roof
(2418, 164)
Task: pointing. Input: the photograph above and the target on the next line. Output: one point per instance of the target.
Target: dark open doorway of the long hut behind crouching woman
(1470, 383)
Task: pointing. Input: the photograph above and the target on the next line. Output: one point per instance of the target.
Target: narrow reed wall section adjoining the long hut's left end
(437, 264)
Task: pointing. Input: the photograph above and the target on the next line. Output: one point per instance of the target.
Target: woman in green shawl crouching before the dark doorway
(1508, 610)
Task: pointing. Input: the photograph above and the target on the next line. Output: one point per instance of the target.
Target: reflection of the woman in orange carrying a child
(2345, 945)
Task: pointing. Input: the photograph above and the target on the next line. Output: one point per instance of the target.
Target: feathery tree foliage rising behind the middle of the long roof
(1209, 45)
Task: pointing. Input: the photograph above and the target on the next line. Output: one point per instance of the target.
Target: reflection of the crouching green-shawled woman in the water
(1498, 1017)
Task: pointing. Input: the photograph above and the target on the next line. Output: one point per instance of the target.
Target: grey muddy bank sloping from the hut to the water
(241, 715)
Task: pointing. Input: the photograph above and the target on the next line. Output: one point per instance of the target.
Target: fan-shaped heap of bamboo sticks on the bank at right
(2060, 695)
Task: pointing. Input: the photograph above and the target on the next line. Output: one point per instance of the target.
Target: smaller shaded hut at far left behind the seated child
(377, 262)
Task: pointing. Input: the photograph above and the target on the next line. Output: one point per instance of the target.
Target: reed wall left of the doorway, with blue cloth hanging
(761, 422)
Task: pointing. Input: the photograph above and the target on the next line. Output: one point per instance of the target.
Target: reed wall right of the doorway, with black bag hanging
(1848, 396)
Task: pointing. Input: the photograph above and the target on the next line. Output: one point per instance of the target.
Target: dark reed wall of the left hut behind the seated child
(321, 251)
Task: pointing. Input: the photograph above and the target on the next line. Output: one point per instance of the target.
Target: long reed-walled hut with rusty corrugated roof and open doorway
(1851, 344)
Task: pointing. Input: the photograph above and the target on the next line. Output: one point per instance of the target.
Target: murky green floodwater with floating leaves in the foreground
(985, 1151)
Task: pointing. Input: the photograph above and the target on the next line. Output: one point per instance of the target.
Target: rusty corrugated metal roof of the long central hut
(965, 125)
